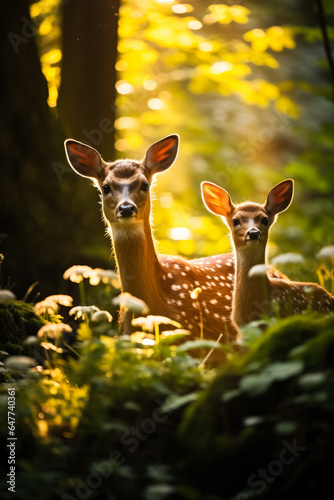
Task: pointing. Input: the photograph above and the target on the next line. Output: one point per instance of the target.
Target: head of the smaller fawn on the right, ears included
(249, 222)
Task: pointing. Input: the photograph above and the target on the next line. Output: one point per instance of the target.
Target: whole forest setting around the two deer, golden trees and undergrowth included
(248, 86)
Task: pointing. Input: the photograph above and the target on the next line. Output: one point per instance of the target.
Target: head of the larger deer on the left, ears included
(124, 184)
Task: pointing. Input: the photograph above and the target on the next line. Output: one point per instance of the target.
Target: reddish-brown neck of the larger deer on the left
(137, 261)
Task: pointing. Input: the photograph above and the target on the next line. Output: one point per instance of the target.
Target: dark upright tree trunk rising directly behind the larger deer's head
(86, 101)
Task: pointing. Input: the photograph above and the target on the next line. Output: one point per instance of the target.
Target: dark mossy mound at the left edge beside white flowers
(17, 321)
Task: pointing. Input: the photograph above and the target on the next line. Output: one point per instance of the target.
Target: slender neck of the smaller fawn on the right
(251, 294)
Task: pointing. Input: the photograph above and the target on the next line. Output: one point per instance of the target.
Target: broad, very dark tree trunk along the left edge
(38, 214)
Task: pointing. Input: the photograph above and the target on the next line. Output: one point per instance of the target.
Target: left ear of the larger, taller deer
(85, 160)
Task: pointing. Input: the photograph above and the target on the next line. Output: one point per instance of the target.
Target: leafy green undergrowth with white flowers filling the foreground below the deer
(125, 420)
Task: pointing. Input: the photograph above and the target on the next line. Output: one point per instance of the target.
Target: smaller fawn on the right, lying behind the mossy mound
(255, 294)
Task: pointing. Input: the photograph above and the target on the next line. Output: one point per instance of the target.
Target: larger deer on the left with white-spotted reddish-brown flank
(164, 283)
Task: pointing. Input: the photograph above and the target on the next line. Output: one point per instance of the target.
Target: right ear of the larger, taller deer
(162, 154)
